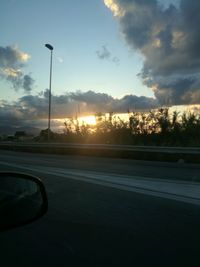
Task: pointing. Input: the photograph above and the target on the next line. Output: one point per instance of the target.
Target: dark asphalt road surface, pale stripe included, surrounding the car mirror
(107, 212)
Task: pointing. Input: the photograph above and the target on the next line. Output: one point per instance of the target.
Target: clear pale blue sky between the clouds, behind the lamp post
(81, 35)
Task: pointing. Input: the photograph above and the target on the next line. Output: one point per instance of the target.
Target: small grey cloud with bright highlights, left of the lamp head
(12, 61)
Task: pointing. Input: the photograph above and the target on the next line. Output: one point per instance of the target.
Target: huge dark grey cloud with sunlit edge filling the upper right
(168, 38)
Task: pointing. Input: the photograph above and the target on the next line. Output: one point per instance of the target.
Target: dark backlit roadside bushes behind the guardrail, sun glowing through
(157, 127)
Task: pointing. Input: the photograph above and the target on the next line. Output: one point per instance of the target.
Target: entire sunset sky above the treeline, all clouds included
(109, 55)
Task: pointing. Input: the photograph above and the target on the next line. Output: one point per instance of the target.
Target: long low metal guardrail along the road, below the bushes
(187, 154)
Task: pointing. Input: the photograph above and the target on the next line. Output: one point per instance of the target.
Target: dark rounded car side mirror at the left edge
(23, 199)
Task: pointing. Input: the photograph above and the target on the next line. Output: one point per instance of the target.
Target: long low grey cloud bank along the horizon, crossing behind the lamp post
(30, 110)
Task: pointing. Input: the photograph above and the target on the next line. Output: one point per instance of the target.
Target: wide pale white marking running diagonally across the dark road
(183, 191)
